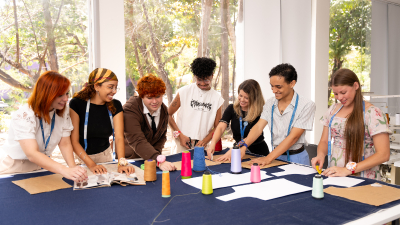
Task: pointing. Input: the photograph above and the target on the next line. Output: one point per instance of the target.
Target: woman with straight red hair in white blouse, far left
(38, 127)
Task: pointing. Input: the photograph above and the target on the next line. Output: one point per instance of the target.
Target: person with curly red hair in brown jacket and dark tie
(146, 122)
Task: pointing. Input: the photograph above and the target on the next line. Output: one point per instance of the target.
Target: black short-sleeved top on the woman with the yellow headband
(99, 125)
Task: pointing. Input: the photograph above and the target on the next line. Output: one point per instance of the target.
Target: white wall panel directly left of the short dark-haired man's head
(261, 44)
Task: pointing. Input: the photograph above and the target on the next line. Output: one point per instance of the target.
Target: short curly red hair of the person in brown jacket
(150, 85)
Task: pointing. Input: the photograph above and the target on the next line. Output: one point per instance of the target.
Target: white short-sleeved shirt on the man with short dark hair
(303, 119)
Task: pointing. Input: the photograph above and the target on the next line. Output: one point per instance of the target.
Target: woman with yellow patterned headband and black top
(96, 116)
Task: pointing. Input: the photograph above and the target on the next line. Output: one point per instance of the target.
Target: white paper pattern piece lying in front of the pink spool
(266, 190)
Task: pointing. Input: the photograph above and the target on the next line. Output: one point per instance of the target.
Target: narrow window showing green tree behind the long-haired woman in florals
(350, 39)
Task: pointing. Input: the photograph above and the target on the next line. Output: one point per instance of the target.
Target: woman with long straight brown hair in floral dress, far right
(359, 133)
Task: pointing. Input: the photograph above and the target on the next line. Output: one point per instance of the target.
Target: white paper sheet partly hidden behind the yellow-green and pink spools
(225, 180)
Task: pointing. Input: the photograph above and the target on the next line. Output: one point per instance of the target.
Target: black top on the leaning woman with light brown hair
(231, 117)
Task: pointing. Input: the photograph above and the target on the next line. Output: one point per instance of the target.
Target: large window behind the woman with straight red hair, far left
(37, 36)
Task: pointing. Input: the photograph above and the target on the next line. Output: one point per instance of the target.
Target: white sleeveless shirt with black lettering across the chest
(197, 112)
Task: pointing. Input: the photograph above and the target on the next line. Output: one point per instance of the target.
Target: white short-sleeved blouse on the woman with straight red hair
(25, 125)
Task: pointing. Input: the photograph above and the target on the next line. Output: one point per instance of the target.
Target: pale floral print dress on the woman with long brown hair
(375, 123)
